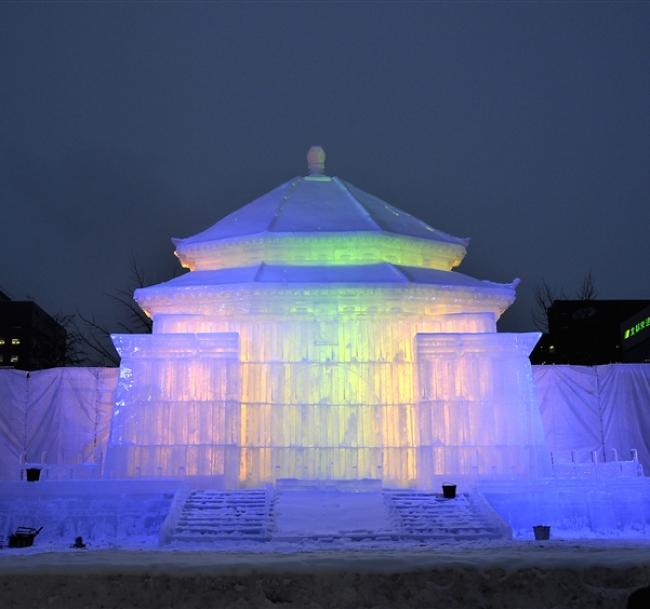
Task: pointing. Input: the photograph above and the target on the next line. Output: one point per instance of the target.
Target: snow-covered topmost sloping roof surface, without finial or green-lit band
(317, 204)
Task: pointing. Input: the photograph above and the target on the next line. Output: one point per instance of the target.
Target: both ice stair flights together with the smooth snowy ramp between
(331, 516)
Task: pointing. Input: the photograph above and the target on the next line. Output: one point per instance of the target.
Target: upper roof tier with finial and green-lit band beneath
(319, 208)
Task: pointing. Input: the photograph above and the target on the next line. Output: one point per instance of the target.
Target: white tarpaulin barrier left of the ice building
(54, 417)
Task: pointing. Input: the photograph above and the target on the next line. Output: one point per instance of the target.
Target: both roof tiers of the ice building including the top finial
(321, 233)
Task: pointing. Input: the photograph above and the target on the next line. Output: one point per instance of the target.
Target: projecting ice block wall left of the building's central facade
(177, 411)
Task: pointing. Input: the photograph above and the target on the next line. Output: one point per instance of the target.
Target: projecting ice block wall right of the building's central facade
(477, 412)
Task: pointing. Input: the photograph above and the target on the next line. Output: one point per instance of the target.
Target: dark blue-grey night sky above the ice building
(523, 126)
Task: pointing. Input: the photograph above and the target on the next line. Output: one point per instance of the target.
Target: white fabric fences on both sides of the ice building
(62, 416)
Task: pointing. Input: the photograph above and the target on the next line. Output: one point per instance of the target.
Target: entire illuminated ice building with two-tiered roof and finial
(321, 333)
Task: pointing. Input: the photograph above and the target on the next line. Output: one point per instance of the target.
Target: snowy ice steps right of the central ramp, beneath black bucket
(429, 516)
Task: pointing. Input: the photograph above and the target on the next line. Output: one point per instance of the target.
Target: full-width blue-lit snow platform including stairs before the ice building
(314, 515)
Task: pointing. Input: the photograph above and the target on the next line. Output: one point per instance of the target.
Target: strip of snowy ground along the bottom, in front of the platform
(548, 575)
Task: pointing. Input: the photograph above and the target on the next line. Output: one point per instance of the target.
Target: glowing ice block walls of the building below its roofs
(325, 384)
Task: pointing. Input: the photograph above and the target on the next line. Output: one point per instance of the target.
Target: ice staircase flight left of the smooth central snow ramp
(209, 516)
